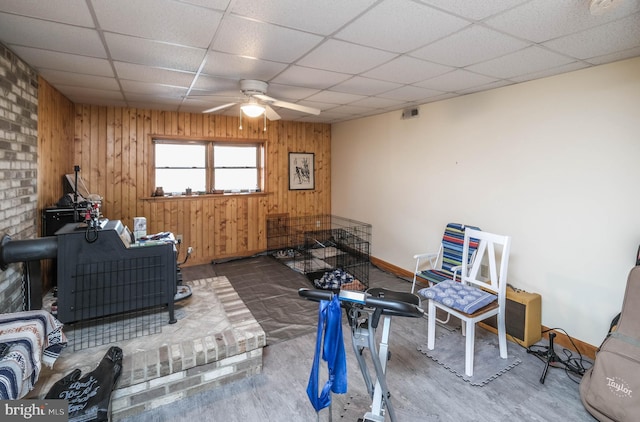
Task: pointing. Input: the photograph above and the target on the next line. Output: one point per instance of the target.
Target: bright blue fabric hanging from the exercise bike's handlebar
(331, 343)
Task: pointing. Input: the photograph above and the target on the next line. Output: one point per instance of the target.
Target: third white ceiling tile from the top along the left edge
(46, 59)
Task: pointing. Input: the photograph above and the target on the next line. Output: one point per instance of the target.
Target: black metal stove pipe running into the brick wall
(26, 250)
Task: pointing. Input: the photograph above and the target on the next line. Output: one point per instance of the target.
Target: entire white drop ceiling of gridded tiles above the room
(377, 54)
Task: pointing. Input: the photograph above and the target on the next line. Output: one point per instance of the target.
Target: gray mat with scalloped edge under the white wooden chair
(449, 351)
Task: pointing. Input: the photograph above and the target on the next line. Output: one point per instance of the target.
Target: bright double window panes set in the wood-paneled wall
(208, 165)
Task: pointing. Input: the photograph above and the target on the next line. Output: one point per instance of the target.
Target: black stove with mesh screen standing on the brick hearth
(101, 273)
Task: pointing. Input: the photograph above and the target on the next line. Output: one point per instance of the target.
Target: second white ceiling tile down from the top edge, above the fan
(263, 41)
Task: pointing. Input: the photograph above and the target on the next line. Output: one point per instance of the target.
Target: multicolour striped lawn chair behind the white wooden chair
(447, 262)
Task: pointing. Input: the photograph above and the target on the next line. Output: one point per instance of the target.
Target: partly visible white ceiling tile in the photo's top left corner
(73, 12)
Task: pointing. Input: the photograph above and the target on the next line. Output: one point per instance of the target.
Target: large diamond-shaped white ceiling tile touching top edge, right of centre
(400, 26)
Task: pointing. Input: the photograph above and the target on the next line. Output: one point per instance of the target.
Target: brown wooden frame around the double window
(209, 143)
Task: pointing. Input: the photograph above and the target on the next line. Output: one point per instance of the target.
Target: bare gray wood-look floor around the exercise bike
(421, 389)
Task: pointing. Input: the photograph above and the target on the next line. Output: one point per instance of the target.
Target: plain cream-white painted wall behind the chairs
(554, 163)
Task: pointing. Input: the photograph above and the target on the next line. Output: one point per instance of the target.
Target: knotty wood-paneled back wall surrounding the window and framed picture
(113, 145)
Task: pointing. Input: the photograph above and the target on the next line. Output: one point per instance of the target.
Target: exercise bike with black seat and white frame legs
(364, 310)
